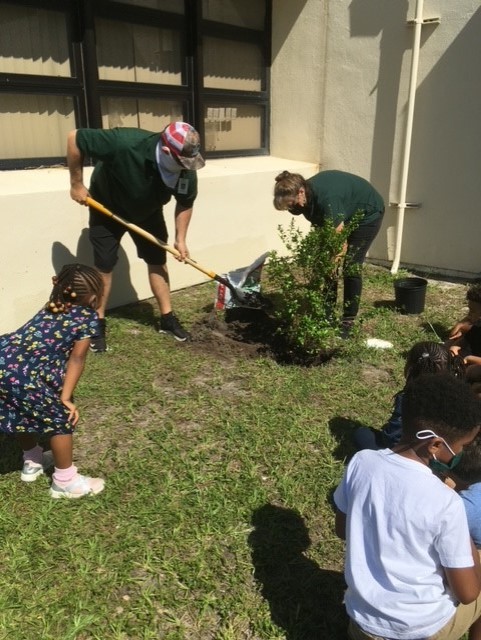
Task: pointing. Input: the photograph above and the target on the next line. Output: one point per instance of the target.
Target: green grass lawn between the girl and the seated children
(216, 520)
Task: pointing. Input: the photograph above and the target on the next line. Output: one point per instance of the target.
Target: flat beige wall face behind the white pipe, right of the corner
(369, 47)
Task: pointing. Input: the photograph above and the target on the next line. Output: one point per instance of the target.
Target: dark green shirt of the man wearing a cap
(126, 178)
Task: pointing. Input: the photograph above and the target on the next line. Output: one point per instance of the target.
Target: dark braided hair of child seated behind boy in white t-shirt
(432, 357)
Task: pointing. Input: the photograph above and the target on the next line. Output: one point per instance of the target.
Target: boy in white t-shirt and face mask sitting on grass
(411, 568)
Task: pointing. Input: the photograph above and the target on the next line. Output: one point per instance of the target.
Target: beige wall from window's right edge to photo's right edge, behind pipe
(340, 83)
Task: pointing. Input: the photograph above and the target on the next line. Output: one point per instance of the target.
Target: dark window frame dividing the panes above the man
(86, 88)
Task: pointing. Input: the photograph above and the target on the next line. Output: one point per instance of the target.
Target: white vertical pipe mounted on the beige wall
(418, 23)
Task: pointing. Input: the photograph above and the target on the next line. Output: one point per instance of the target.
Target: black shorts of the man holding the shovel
(105, 236)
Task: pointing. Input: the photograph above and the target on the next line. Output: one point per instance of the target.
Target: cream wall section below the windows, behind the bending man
(234, 222)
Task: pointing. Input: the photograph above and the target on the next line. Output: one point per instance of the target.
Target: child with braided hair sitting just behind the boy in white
(423, 357)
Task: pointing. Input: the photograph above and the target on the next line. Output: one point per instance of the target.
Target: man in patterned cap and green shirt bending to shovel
(136, 173)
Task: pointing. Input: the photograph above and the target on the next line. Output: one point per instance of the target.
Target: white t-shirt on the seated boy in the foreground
(403, 525)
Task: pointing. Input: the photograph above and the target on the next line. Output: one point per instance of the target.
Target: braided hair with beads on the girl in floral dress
(75, 284)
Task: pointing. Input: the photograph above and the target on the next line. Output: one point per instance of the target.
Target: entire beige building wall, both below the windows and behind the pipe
(339, 87)
